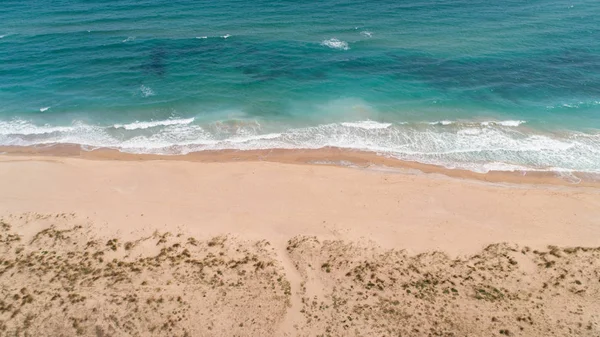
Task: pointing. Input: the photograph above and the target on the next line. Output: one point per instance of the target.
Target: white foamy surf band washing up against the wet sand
(480, 146)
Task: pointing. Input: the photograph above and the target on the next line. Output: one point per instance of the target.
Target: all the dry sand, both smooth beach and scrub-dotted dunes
(179, 248)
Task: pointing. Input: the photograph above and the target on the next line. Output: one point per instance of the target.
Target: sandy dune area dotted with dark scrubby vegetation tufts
(61, 278)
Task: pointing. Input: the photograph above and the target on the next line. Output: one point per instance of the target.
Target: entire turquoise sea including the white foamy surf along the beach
(482, 85)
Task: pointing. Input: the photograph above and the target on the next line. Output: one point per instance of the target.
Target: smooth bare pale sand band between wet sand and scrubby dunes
(261, 198)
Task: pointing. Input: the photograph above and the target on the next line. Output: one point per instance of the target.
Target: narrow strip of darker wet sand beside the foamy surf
(323, 157)
